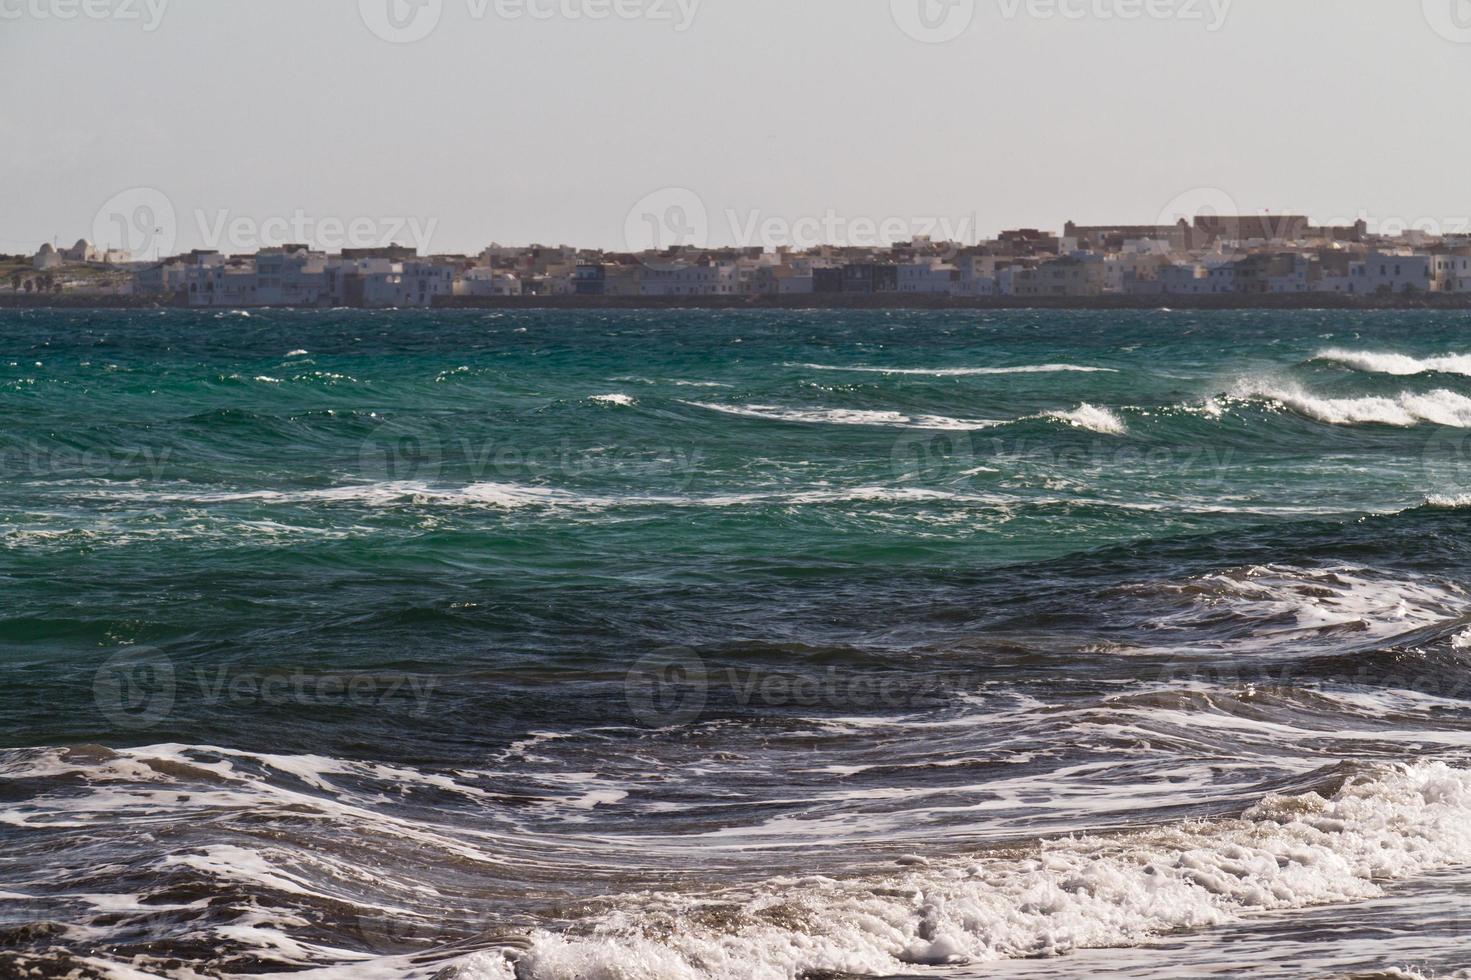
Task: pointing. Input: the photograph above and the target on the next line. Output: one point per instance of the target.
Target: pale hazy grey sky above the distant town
(167, 126)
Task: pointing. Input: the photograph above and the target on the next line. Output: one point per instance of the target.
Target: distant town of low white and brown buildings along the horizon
(1242, 257)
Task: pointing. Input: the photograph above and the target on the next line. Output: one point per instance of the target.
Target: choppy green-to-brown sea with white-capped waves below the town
(708, 645)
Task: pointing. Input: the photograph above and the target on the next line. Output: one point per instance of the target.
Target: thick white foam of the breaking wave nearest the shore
(1289, 853)
